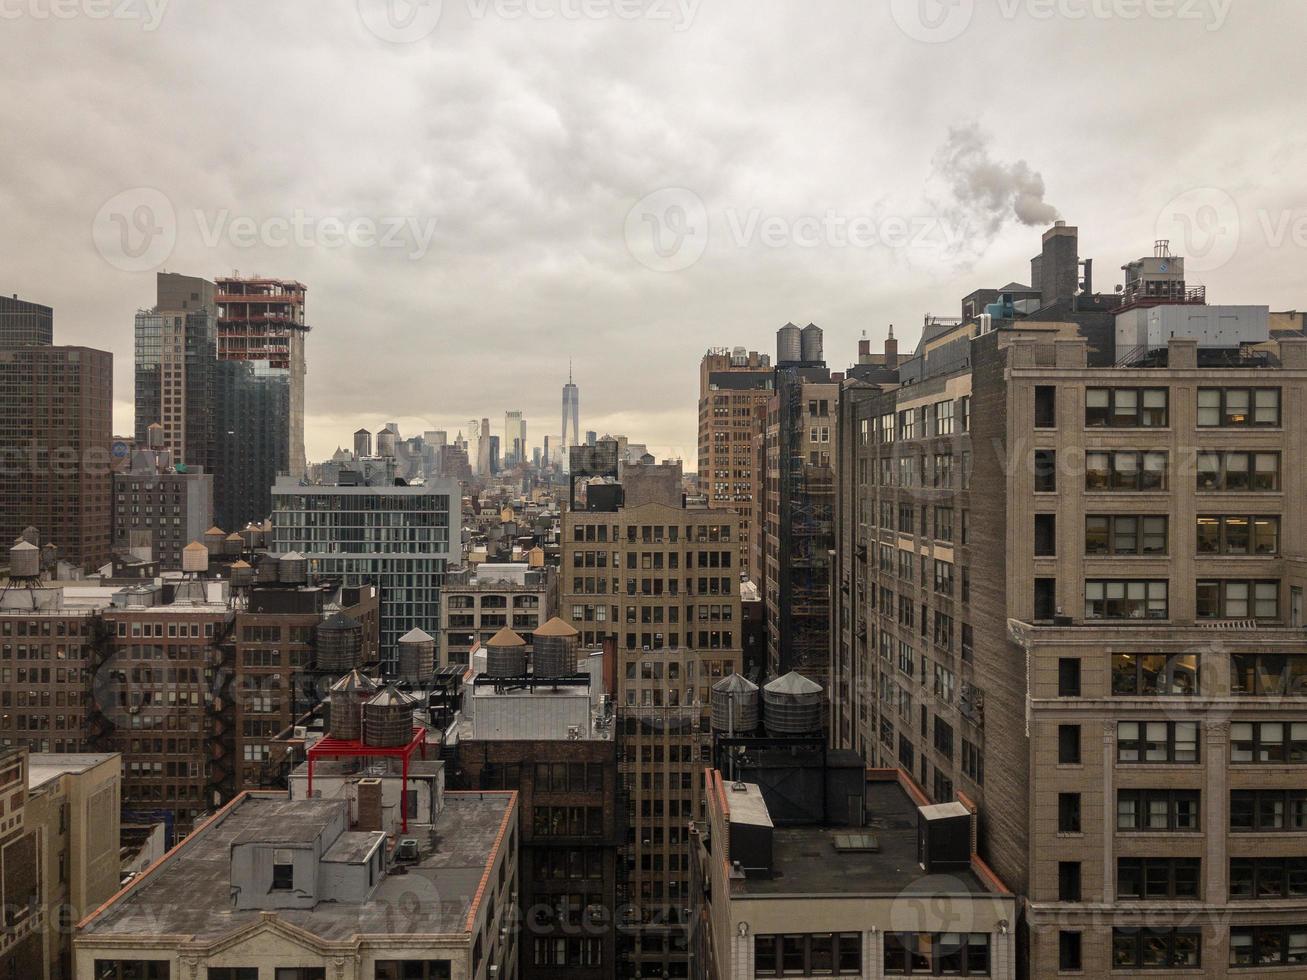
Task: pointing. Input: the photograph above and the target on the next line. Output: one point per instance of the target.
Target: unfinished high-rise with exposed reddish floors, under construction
(263, 321)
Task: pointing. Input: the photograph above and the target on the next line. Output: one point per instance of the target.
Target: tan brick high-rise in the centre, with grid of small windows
(659, 581)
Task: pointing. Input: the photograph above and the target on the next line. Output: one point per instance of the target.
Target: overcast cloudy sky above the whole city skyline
(628, 182)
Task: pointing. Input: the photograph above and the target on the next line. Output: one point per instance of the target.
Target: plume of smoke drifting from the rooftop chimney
(985, 194)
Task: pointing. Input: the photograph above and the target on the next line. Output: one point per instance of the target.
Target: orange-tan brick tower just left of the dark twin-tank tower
(733, 386)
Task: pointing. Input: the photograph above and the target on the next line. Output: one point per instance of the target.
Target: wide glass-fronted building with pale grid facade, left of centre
(368, 531)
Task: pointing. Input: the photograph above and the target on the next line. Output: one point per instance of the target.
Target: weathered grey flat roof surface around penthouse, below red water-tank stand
(189, 893)
